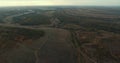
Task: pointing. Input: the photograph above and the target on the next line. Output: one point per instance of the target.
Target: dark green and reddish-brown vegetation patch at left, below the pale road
(9, 36)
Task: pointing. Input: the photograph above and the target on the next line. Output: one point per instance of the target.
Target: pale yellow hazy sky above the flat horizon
(59, 2)
